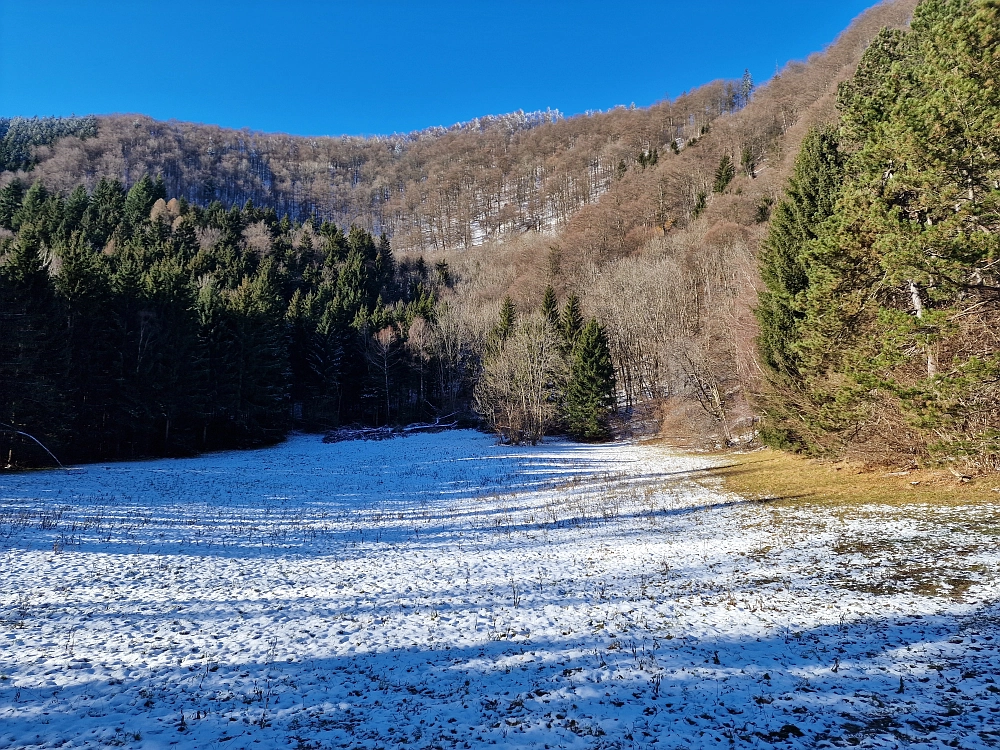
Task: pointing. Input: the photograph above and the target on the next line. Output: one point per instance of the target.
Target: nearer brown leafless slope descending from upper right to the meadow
(676, 298)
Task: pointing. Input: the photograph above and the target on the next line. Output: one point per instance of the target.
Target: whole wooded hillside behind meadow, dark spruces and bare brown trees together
(177, 287)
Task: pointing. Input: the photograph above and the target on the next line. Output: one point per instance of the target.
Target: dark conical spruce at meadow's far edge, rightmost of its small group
(590, 395)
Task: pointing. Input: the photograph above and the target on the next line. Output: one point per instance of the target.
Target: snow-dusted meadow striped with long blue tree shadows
(440, 591)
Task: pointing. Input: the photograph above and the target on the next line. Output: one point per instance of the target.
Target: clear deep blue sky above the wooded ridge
(330, 68)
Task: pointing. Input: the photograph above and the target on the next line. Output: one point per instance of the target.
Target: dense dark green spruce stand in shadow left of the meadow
(136, 326)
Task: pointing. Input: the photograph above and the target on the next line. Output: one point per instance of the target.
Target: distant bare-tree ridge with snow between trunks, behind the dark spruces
(434, 189)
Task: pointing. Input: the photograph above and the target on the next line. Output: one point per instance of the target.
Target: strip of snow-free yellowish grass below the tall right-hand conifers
(774, 475)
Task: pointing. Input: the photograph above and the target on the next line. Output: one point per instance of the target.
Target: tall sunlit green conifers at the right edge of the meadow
(880, 316)
